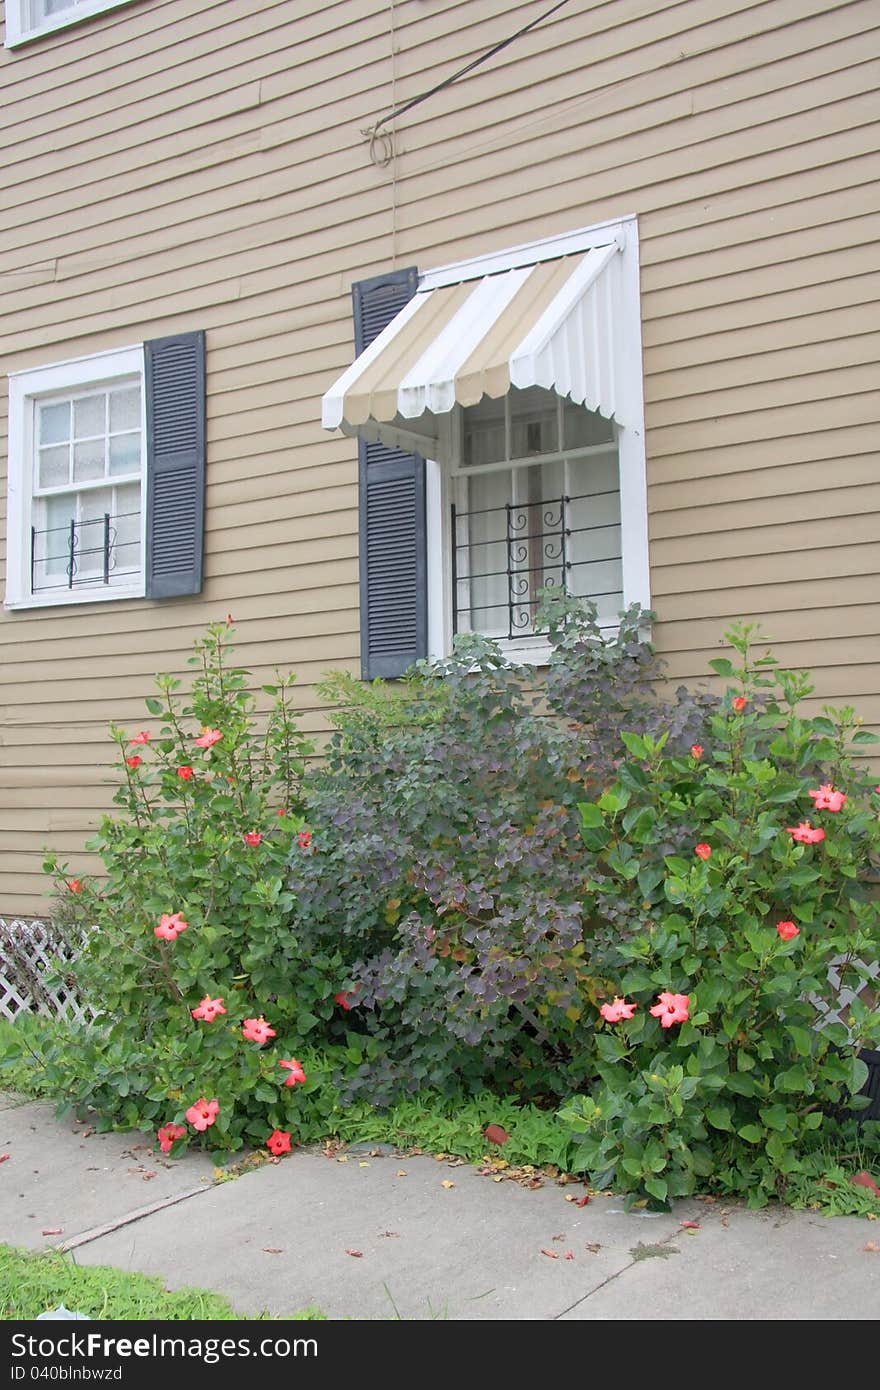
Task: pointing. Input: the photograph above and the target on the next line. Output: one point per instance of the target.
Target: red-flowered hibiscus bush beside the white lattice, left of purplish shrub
(201, 993)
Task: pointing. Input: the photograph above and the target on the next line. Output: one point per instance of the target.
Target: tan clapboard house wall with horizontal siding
(170, 167)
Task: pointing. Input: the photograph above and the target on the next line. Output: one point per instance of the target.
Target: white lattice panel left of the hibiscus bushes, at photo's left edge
(33, 976)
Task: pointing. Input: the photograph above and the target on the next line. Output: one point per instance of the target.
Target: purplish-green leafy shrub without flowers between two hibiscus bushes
(451, 869)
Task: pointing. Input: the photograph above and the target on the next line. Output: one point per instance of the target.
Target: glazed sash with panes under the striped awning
(536, 505)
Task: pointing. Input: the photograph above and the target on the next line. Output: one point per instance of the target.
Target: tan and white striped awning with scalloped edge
(553, 323)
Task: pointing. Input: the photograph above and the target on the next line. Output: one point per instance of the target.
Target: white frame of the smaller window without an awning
(26, 391)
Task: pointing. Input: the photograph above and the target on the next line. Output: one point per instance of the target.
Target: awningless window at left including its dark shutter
(106, 476)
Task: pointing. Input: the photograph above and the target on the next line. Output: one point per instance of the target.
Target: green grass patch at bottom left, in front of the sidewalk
(34, 1282)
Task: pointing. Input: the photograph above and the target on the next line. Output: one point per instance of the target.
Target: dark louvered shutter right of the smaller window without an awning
(176, 465)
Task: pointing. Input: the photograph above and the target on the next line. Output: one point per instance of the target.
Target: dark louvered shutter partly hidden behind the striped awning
(394, 573)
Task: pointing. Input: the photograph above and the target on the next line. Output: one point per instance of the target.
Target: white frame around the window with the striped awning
(440, 477)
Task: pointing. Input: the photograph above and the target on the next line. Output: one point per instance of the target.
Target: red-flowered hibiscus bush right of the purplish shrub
(714, 1070)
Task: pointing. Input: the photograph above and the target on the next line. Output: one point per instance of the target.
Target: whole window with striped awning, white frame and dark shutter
(500, 411)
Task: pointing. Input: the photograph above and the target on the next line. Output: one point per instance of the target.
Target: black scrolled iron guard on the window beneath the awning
(539, 543)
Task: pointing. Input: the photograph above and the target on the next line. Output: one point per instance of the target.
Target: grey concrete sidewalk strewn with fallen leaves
(369, 1235)
